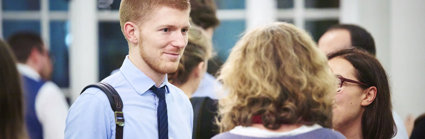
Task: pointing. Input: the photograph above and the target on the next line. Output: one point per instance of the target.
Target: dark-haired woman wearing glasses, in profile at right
(362, 106)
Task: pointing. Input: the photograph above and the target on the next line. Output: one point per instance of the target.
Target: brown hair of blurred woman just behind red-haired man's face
(198, 49)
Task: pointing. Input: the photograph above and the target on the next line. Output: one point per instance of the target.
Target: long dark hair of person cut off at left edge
(11, 97)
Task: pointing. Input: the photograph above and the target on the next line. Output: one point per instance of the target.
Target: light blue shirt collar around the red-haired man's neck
(137, 79)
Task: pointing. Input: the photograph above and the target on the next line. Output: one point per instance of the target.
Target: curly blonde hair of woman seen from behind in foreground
(276, 72)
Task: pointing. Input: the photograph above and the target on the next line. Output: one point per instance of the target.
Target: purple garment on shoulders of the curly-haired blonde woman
(321, 133)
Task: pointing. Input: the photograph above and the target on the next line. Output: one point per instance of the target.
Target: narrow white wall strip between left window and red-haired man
(83, 50)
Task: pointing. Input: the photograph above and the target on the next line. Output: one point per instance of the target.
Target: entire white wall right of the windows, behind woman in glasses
(398, 27)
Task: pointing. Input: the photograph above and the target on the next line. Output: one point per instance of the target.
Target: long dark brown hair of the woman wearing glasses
(377, 119)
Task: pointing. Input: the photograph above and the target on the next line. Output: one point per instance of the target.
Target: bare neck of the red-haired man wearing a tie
(158, 78)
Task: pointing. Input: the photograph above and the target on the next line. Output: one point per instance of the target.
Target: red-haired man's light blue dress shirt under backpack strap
(91, 116)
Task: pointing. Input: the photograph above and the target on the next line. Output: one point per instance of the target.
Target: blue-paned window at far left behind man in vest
(48, 18)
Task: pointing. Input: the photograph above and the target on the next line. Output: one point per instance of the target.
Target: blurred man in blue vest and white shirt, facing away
(46, 106)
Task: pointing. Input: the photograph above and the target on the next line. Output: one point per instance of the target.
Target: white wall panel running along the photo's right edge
(408, 56)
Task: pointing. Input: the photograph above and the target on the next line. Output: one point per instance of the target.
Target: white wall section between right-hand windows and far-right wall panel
(374, 16)
